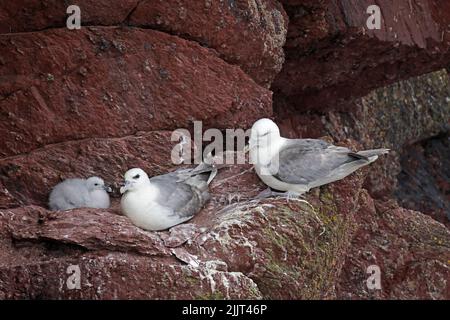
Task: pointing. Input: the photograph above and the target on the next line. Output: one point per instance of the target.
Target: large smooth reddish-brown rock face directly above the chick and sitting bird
(113, 82)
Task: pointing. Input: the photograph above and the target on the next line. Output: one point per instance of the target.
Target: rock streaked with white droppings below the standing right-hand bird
(291, 250)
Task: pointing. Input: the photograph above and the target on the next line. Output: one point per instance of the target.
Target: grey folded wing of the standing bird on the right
(302, 161)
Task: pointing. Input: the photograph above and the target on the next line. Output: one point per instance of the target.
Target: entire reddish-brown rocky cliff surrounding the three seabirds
(107, 97)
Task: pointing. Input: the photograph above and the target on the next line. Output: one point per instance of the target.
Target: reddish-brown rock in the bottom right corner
(411, 250)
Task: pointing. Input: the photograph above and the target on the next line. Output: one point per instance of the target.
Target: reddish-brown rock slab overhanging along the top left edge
(249, 34)
